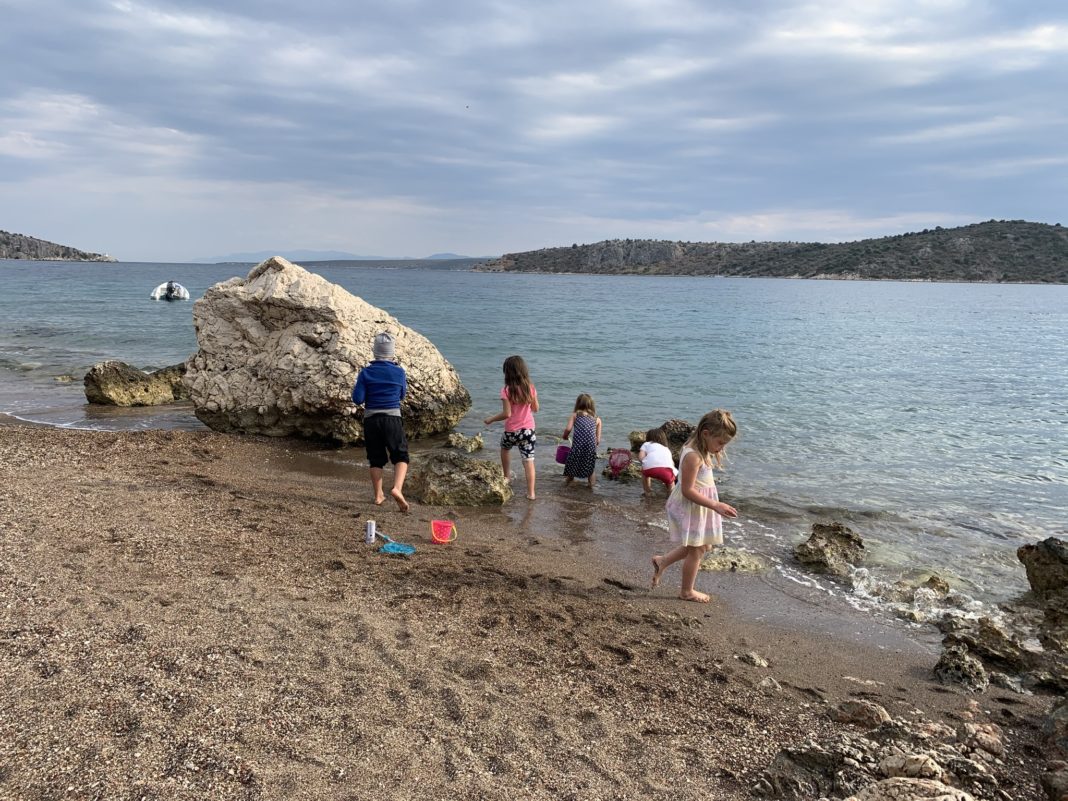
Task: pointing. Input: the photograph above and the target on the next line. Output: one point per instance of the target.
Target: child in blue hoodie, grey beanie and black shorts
(380, 388)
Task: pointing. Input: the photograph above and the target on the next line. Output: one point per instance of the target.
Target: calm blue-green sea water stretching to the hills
(931, 418)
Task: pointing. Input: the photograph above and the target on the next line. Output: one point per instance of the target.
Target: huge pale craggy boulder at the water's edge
(280, 351)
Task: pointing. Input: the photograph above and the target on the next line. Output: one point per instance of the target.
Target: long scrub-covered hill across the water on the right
(996, 252)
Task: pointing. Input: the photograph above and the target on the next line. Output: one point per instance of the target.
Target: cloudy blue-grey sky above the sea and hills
(168, 131)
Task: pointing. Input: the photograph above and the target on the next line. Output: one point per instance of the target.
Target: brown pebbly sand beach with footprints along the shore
(193, 616)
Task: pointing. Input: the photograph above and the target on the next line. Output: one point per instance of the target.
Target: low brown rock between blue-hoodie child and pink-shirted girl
(448, 479)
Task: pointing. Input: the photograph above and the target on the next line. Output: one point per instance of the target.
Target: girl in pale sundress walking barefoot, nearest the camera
(694, 508)
